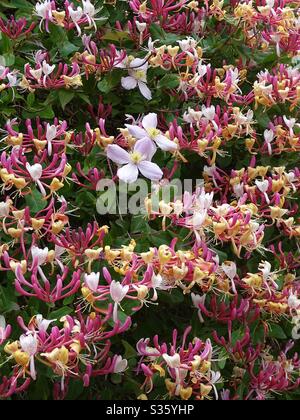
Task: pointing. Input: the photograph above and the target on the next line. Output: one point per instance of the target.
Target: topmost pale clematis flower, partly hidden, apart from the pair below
(137, 70)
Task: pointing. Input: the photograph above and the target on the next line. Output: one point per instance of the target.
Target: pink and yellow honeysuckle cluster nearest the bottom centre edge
(186, 370)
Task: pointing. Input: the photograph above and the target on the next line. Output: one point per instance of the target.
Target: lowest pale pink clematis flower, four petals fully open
(139, 160)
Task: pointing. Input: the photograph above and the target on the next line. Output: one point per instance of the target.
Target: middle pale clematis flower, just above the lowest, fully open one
(149, 131)
